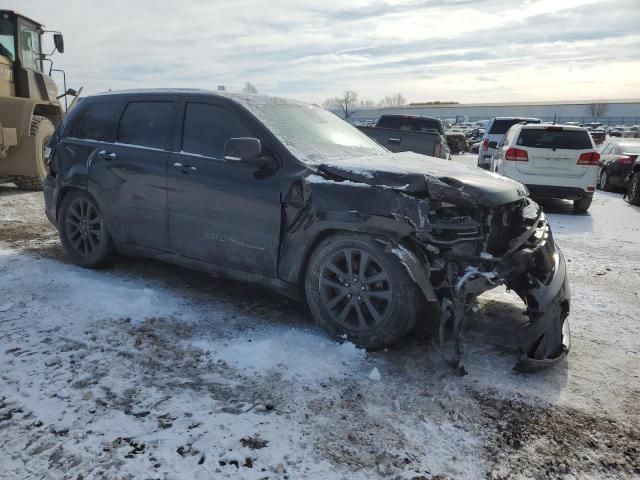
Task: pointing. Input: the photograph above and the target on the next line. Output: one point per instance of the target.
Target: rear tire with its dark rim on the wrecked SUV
(83, 232)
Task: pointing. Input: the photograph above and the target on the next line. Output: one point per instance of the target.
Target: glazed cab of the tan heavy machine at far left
(22, 60)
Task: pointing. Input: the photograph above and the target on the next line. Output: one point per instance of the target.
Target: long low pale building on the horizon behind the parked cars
(617, 112)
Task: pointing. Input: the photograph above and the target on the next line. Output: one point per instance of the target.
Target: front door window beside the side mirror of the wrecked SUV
(207, 128)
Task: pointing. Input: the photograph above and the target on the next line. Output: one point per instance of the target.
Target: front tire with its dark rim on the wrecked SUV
(384, 303)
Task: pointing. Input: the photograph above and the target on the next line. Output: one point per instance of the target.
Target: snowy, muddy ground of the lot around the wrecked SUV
(147, 370)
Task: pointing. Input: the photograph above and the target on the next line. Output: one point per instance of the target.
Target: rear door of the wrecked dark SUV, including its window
(130, 175)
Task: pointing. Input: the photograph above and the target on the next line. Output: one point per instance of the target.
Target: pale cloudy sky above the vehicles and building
(462, 50)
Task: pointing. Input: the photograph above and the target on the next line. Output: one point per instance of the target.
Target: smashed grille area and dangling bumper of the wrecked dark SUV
(511, 245)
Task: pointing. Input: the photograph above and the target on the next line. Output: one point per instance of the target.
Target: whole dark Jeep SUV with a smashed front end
(286, 194)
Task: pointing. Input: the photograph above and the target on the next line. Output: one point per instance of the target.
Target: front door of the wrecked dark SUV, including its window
(222, 211)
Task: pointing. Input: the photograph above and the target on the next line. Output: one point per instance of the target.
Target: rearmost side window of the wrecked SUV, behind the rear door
(96, 122)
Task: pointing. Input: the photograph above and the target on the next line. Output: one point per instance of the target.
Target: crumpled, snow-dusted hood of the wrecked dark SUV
(434, 177)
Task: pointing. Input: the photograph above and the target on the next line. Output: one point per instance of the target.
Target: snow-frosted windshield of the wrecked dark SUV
(311, 133)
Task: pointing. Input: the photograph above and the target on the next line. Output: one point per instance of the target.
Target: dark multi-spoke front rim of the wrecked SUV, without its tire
(355, 289)
